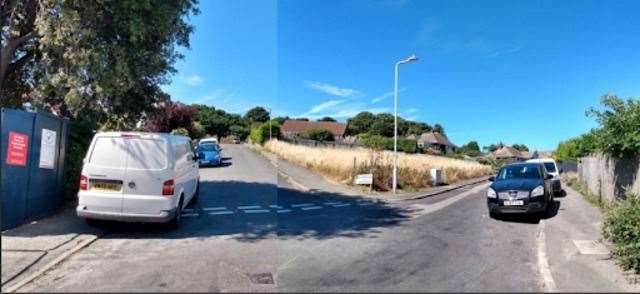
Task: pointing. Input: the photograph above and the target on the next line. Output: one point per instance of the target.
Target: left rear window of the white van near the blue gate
(109, 152)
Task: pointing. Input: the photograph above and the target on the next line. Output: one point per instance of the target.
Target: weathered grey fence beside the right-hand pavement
(608, 177)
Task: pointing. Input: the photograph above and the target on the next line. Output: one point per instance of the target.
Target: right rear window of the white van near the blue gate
(147, 154)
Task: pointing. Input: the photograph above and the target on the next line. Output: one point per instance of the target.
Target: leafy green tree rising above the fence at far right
(619, 133)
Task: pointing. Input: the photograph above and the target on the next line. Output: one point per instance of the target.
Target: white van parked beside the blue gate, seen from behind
(138, 177)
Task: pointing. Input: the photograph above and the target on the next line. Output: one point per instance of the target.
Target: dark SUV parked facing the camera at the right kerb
(520, 188)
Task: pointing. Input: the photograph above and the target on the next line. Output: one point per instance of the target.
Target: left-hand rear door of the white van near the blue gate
(105, 170)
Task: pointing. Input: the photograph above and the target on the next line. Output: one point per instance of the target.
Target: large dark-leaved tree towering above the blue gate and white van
(105, 60)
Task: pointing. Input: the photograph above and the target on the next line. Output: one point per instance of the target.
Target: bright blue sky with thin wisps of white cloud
(511, 71)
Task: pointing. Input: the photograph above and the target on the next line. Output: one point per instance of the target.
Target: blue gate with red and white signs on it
(32, 165)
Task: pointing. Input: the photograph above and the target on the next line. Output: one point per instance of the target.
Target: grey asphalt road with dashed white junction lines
(252, 231)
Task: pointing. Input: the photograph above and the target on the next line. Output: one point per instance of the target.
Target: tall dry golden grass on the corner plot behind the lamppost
(342, 164)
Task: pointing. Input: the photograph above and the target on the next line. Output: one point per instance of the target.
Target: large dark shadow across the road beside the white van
(362, 218)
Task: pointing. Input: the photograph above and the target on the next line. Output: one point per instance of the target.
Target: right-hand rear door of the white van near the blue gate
(148, 167)
